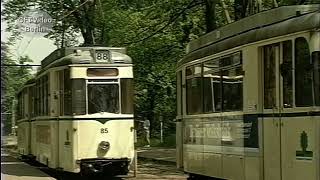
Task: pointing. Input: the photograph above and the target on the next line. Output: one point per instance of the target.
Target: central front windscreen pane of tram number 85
(103, 98)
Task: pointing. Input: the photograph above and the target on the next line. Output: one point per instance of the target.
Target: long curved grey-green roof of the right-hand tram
(264, 25)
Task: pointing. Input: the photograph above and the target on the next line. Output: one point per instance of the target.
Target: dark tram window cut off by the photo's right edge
(316, 76)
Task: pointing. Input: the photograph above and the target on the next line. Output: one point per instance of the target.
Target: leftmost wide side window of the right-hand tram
(193, 88)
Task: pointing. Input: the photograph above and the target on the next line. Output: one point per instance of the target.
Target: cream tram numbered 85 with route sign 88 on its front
(77, 113)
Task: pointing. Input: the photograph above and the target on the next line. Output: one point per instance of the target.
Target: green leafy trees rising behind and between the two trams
(154, 32)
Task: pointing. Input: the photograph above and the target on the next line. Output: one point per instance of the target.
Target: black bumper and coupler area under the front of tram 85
(104, 166)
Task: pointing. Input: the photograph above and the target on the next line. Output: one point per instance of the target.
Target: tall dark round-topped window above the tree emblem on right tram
(303, 73)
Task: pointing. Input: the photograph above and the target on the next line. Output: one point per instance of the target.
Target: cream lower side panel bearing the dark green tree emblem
(299, 147)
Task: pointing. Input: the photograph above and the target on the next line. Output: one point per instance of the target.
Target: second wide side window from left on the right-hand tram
(212, 87)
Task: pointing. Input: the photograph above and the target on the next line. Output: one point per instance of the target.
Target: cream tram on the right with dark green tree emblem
(248, 97)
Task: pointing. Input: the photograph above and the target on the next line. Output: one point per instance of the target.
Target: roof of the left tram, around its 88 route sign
(85, 55)
